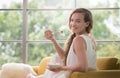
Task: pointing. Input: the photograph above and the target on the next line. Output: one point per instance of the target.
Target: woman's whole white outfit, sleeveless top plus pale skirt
(72, 60)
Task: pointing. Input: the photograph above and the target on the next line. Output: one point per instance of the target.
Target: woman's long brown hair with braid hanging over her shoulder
(87, 18)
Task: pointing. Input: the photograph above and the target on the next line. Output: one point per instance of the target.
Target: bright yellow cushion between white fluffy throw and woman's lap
(43, 65)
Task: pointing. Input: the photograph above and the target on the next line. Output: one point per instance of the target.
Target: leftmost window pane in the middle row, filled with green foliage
(10, 25)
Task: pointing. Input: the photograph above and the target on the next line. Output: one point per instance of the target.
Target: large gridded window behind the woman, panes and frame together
(22, 25)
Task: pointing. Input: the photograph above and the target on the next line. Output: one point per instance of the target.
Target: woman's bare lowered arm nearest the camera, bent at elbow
(80, 51)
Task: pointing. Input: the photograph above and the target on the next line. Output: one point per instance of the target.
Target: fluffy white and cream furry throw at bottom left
(16, 70)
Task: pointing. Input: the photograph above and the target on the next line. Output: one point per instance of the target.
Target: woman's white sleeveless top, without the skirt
(90, 53)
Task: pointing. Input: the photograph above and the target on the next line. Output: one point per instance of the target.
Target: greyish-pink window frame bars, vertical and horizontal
(24, 41)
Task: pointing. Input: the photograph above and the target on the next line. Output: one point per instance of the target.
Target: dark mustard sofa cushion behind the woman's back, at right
(107, 63)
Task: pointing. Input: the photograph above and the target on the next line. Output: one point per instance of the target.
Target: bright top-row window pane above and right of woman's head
(98, 3)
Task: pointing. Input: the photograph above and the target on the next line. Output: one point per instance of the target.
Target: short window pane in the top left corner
(11, 4)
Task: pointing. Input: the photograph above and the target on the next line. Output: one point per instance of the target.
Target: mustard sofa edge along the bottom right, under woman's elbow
(97, 74)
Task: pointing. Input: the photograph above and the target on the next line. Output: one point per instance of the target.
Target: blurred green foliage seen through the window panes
(38, 21)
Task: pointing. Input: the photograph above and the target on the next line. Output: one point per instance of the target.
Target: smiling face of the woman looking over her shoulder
(77, 23)
